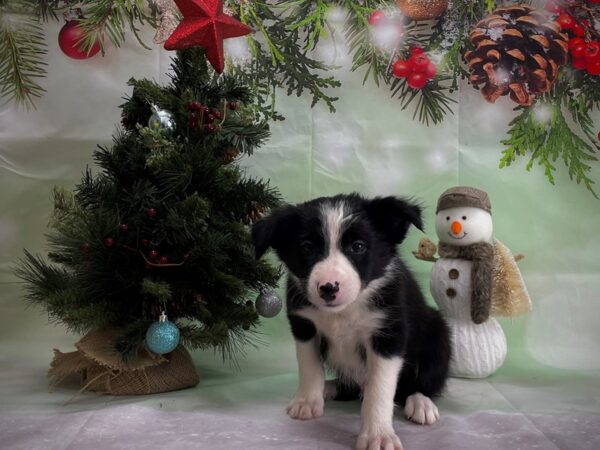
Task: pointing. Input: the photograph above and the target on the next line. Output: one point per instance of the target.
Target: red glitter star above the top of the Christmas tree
(204, 24)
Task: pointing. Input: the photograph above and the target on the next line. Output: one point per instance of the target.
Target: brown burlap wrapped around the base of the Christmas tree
(102, 370)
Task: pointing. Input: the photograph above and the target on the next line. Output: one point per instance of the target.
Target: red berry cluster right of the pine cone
(584, 50)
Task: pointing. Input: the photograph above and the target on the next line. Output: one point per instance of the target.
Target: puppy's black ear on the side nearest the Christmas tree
(272, 230)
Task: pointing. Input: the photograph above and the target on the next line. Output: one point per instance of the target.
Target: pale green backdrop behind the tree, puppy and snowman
(371, 146)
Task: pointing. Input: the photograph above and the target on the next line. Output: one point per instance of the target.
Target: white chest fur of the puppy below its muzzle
(348, 335)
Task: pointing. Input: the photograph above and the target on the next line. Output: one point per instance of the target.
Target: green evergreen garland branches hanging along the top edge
(287, 31)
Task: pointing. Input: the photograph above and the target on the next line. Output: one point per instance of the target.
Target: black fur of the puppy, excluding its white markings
(410, 329)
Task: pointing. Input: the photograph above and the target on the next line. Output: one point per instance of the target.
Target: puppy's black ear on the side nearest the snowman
(391, 216)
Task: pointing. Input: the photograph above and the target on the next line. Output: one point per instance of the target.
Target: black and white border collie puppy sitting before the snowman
(354, 307)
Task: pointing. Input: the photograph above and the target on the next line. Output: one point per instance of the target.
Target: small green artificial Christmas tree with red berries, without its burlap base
(164, 226)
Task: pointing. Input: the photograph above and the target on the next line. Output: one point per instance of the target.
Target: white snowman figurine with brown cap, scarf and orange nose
(461, 281)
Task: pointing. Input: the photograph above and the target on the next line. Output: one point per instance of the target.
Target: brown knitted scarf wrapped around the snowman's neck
(482, 255)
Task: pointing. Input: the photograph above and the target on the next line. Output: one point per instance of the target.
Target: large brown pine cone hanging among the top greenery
(518, 51)
